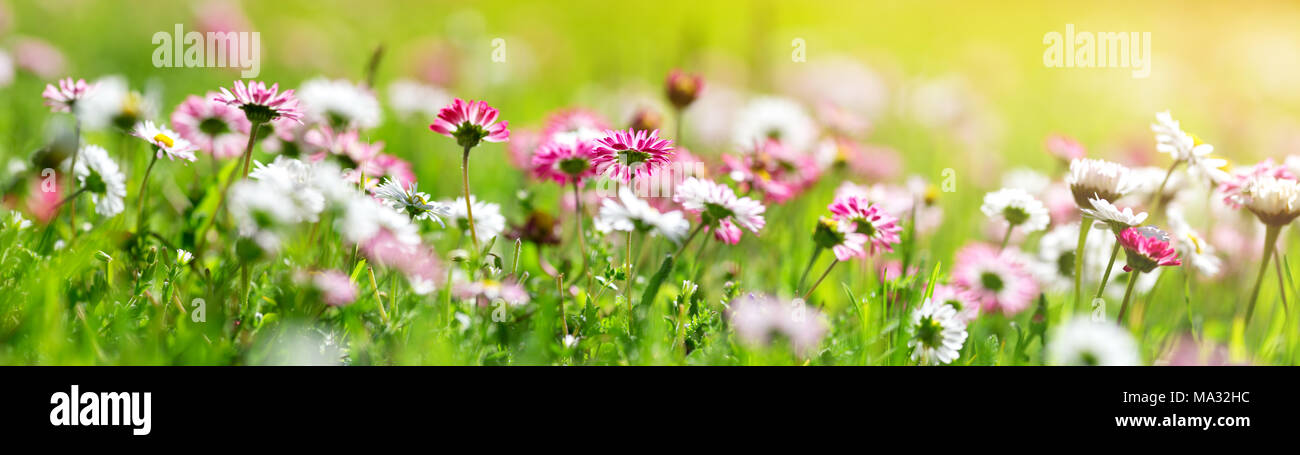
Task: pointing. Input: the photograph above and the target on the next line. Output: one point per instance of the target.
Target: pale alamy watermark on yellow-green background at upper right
(1100, 50)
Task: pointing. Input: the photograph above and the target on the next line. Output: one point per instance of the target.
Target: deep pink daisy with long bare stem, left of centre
(470, 123)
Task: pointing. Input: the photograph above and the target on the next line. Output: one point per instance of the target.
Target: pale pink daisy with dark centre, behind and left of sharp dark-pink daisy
(215, 128)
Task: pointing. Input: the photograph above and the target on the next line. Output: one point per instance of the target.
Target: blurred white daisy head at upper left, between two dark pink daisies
(340, 105)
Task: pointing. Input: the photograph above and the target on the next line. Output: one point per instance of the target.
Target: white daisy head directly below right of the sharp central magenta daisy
(720, 210)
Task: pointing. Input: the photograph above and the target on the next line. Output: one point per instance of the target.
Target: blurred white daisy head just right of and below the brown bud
(774, 119)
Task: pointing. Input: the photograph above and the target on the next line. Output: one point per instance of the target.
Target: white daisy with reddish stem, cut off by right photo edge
(1276, 202)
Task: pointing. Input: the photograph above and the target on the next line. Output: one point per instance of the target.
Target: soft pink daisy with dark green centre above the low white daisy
(998, 281)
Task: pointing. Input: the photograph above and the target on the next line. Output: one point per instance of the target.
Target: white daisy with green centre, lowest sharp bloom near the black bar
(938, 335)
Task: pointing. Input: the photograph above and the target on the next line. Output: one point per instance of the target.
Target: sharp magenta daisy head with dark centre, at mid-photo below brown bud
(626, 155)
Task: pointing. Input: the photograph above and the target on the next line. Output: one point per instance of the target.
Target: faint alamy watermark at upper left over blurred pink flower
(240, 50)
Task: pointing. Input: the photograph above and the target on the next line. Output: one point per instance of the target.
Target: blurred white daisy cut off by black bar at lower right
(1084, 343)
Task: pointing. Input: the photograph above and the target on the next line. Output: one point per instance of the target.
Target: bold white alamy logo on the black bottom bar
(103, 409)
